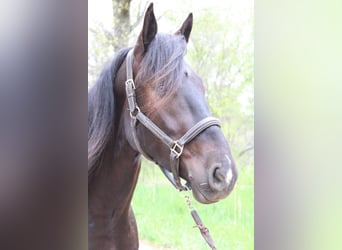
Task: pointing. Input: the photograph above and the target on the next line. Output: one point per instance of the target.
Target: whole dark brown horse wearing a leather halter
(149, 101)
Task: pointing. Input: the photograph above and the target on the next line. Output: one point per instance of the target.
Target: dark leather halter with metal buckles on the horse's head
(175, 146)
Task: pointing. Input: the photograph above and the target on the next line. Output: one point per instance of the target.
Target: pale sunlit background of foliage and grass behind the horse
(221, 51)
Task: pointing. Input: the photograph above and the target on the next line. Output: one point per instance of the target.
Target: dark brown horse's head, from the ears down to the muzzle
(171, 96)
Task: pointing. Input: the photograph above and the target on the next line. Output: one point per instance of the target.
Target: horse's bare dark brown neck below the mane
(110, 217)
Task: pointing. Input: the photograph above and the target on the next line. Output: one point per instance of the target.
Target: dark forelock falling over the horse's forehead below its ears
(162, 68)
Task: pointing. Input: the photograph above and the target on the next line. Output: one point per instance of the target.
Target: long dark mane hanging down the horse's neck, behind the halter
(101, 111)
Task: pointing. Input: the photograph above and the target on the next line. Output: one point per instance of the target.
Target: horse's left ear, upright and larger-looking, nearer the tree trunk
(147, 33)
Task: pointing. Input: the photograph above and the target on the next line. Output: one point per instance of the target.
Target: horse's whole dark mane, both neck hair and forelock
(161, 67)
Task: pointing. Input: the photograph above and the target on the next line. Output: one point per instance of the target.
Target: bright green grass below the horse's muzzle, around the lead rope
(164, 219)
